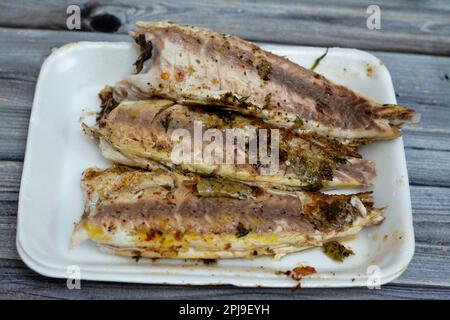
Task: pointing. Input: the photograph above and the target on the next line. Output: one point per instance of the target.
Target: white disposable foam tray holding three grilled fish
(57, 152)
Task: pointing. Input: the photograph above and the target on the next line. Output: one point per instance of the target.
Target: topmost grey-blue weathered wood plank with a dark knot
(421, 26)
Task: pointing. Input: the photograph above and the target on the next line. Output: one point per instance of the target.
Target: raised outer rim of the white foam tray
(40, 267)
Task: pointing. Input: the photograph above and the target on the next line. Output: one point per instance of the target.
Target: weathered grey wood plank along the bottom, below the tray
(19, 282)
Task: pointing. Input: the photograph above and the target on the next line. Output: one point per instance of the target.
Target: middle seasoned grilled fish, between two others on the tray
(141, 134)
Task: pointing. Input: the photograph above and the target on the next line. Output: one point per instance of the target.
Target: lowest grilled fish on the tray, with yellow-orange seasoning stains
(155, 214)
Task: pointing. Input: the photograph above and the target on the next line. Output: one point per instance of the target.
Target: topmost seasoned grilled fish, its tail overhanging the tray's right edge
(198, 66)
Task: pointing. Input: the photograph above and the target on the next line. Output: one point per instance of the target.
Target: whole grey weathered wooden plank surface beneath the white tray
(414, 43)
